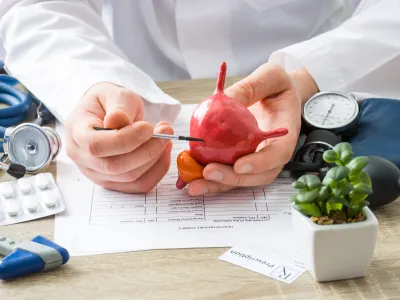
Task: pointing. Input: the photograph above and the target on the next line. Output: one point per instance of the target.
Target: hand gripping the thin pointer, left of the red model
(126, 159)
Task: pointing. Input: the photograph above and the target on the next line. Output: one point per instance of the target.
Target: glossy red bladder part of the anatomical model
(228, 128)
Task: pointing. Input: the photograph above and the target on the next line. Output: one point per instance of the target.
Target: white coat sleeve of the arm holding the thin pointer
(59, 49)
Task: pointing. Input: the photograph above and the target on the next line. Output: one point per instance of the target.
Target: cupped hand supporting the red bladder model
(275, 98)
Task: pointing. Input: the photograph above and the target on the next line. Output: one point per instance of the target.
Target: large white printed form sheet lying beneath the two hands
(97, 220)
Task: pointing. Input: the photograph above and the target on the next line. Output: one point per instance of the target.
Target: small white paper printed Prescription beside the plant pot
(271, 250)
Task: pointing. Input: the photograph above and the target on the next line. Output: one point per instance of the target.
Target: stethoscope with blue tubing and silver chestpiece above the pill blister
(26, 147)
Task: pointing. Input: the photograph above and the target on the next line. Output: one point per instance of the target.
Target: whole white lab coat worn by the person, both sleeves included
(58, 49)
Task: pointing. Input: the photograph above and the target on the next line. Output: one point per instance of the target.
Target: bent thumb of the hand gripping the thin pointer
(122, 108)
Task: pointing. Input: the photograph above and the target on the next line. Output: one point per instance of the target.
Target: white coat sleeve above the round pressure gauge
(362, 55)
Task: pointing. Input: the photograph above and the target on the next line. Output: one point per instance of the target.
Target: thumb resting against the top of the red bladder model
(266, 81)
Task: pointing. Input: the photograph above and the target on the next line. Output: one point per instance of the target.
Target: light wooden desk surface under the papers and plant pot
(197, 273)
